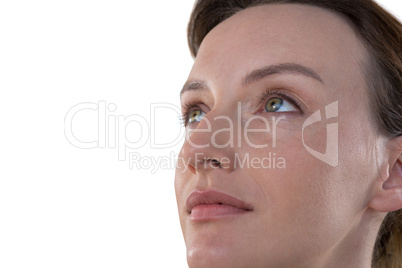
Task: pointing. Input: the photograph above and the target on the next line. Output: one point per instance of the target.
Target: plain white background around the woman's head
(62, 206)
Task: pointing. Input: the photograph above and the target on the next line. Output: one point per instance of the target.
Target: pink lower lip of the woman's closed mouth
(216, 211)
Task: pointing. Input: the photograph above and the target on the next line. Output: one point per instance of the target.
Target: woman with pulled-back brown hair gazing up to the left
(294, 135)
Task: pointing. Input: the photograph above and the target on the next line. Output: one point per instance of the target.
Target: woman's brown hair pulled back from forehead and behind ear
(381, 33)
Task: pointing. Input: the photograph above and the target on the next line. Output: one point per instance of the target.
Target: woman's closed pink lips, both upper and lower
(211, 204)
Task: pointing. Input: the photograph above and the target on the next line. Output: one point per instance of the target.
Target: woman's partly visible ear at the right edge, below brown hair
(388, 192)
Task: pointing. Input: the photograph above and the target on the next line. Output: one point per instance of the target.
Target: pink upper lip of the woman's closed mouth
(210, 197)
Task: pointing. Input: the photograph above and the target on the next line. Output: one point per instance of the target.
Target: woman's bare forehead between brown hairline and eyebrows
(280, 33)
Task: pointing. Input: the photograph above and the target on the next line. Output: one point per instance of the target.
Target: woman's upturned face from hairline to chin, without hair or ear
(258, 78)
